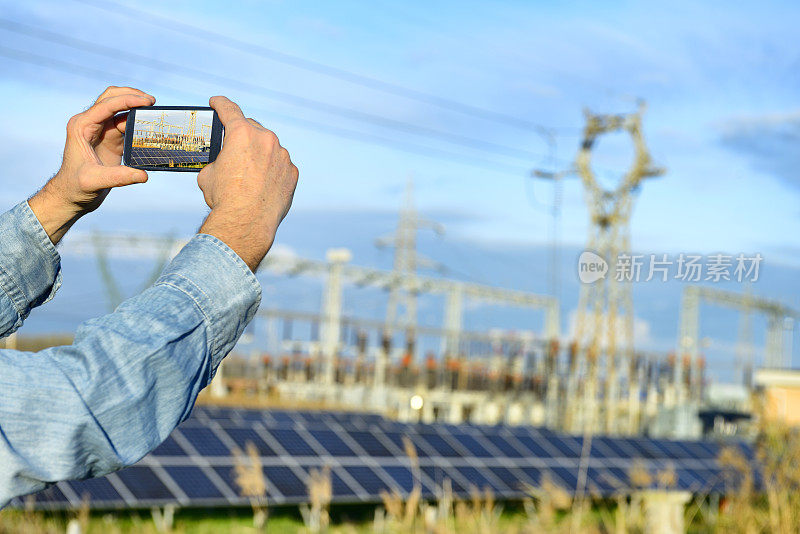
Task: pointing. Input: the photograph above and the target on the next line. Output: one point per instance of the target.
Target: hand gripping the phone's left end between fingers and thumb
(91, 163)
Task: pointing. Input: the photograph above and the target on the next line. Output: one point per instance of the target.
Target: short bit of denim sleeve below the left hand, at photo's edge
(30, 267)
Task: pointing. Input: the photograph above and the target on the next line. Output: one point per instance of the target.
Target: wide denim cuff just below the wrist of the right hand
(221, 285)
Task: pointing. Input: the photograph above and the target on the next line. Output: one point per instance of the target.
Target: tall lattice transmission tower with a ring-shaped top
(604, 328)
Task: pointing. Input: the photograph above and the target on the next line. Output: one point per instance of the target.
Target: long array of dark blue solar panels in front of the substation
(366, 454)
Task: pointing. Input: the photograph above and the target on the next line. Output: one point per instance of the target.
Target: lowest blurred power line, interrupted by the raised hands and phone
(104, 76)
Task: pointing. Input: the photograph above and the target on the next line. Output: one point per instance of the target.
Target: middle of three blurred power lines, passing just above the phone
(205, 76)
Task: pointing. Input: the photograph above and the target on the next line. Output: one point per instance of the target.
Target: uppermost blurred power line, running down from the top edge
(315, 66)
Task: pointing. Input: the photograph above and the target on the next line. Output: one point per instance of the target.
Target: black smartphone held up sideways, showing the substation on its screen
(171, 138)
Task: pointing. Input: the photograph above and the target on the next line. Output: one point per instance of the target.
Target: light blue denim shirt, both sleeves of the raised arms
(129, 378)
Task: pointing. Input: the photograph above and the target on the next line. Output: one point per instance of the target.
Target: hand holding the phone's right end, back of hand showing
(249, 187)
